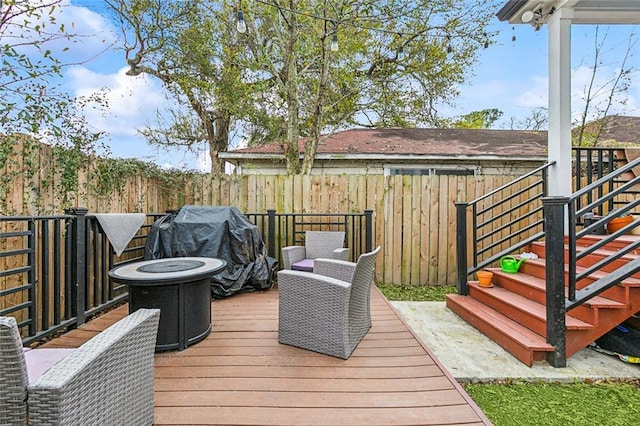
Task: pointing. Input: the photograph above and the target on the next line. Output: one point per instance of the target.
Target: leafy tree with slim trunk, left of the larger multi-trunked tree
(188, 46)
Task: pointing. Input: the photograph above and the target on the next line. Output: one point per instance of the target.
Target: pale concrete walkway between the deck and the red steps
(471, 356)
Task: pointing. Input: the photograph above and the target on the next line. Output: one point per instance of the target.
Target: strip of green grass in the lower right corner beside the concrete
(550, 404)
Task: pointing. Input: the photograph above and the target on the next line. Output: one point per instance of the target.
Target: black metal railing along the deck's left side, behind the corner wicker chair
(54, 271)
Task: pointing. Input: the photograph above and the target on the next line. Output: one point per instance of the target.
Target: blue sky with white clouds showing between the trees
(510, 76)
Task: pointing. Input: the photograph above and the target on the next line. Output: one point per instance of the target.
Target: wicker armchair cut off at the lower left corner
(108, 380)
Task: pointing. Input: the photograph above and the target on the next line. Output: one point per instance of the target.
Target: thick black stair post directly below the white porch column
(554, 212)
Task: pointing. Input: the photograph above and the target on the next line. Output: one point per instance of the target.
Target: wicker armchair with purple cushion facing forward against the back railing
(325, 244)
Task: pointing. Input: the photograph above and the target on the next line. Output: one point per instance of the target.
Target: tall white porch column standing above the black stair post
(559, 138)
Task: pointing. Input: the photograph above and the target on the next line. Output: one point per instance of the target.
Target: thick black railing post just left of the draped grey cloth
(78, 263)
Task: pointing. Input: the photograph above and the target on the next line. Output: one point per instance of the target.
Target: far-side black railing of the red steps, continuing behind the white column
(511, 217)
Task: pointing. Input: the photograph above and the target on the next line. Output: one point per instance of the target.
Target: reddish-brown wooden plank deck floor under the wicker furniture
(241, 375)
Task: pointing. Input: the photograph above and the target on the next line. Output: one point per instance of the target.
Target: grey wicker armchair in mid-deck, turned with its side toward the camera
(327, 311)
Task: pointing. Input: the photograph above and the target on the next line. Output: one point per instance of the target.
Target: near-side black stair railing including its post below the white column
(562, 215)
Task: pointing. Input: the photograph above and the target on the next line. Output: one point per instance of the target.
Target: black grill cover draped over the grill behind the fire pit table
(212, 231)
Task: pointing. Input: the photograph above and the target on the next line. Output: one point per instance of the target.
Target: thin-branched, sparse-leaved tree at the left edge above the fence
(33, 107)
